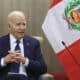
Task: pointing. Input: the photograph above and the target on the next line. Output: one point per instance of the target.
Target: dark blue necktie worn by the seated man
(15, 65)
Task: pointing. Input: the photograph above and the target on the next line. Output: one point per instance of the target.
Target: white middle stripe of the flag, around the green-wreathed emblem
(56, 28)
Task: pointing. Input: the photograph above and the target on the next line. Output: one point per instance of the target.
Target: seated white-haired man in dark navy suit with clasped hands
(28, 56)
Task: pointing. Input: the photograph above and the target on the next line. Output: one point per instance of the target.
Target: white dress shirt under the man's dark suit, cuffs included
(12, 47)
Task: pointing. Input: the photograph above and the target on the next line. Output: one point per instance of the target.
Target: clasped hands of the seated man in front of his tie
(14, 56)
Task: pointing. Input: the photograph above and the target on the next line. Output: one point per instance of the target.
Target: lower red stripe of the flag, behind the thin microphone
(71, 60)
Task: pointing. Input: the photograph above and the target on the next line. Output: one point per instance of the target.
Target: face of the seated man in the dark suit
(17, 26)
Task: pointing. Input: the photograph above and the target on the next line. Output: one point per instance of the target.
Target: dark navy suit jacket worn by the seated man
(32, 50)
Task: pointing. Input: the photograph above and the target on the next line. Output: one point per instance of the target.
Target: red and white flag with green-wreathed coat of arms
(62, 30)
